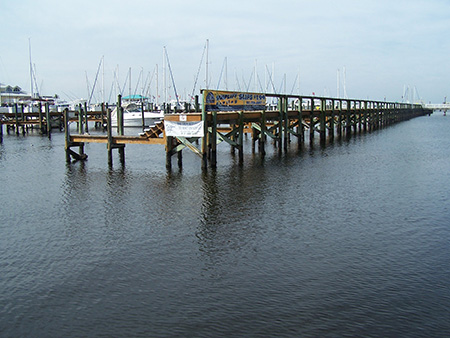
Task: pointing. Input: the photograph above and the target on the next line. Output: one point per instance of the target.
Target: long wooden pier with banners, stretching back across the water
(292, 116)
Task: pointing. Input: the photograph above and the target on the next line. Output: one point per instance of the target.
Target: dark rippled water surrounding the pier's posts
(348, 240)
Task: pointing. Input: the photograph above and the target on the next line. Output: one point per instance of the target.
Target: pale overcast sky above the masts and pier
(385, 48)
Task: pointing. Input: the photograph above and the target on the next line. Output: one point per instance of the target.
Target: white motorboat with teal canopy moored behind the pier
(132, 116)
